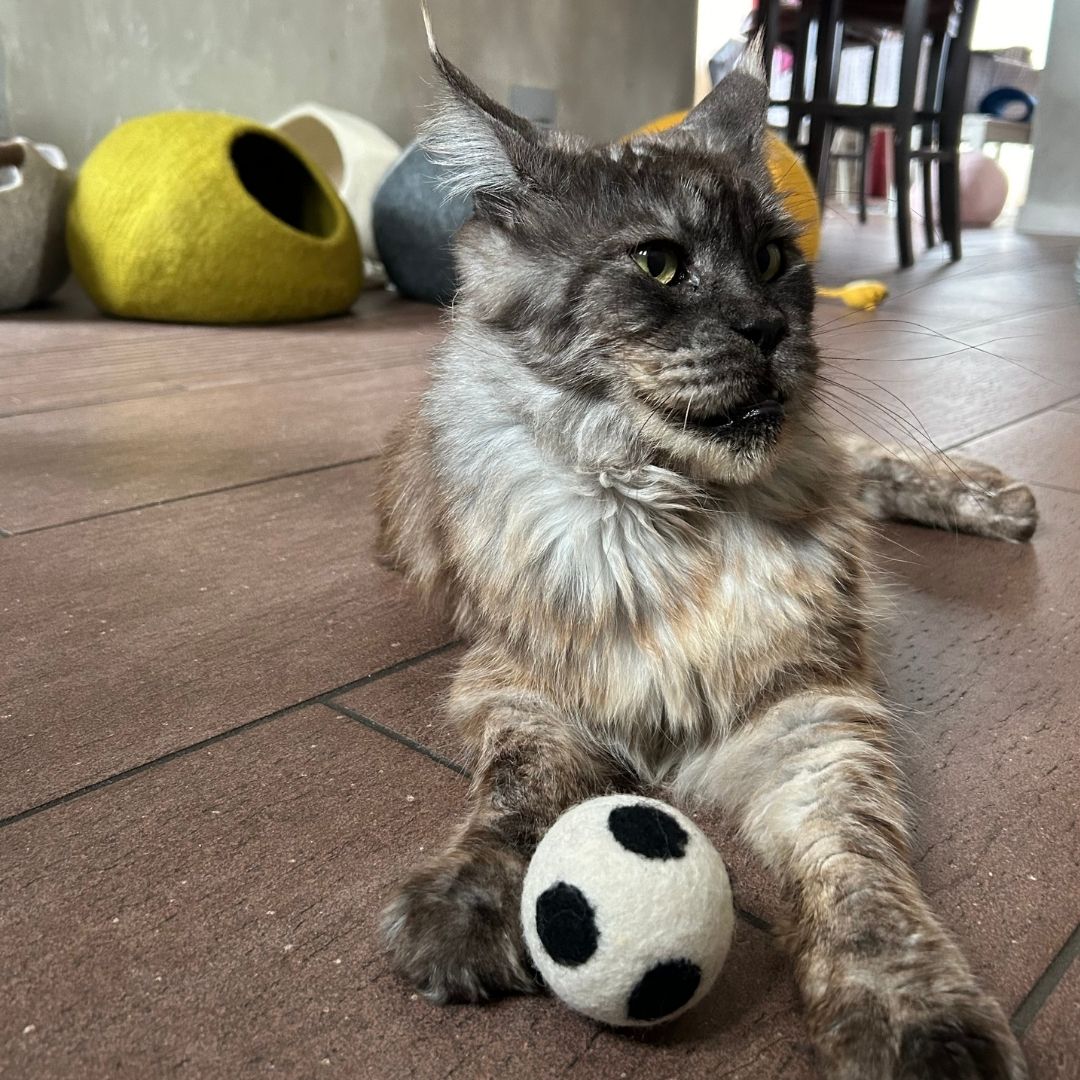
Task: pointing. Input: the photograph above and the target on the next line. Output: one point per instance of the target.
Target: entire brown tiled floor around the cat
(220, 719)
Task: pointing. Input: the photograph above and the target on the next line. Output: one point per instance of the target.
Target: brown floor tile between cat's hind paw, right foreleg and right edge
(981, 657)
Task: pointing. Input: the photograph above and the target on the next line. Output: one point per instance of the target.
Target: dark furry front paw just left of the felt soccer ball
(454, 929)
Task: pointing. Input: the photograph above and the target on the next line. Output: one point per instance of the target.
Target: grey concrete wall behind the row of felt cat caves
(76, 69)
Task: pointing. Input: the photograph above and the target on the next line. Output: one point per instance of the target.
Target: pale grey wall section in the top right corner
(1054, 197)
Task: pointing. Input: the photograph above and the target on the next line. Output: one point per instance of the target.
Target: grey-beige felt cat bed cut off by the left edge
(34, 195)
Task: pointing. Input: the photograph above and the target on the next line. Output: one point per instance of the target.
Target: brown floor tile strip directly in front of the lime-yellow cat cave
(57, 363)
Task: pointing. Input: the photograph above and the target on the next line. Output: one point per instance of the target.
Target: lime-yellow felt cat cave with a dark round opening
(210, 219)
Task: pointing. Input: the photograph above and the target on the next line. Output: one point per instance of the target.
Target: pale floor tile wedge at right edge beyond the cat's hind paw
(1045, 450)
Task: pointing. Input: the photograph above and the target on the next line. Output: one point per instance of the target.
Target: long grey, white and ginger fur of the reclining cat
(653, 604)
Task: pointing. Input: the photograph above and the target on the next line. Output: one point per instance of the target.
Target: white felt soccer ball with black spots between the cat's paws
(627, 911)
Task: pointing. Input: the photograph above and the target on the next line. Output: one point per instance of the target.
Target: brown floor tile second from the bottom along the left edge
(127, 638)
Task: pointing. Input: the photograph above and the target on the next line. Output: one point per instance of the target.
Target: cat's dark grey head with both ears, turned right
(661, 274)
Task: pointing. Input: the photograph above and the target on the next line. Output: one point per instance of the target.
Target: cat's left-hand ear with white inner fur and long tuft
(489, 153)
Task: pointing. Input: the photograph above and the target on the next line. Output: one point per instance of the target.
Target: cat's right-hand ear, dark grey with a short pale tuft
(732, 118)
